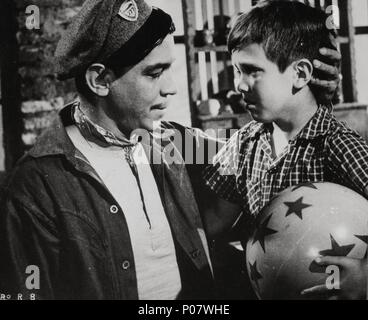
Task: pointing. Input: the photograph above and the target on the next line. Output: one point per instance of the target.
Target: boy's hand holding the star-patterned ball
(353, 282)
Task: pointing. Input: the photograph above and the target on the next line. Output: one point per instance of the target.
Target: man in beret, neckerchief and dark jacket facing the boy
(86, 209)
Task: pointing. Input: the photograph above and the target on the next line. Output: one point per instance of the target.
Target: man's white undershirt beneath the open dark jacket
(153, 248)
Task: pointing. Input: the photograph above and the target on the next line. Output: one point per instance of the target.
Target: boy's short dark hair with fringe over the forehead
(287, 31)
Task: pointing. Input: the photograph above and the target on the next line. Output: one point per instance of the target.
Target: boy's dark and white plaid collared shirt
(245, 172)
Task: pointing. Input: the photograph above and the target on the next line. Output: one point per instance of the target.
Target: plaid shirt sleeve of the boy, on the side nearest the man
(220, 175)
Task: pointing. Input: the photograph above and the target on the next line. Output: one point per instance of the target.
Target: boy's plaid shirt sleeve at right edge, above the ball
(348, 159)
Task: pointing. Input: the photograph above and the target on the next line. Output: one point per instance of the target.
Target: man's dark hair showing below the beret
(148, 37)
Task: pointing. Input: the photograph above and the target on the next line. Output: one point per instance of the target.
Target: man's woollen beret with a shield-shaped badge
(99, 30)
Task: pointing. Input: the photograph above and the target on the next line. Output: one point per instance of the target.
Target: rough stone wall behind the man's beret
(41, 93)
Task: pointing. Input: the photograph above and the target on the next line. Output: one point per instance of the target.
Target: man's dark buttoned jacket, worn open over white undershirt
(57, 215)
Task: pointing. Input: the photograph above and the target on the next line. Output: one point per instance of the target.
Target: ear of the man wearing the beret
(98, 79)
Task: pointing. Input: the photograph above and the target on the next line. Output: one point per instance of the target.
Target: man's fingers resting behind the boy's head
(331, 80)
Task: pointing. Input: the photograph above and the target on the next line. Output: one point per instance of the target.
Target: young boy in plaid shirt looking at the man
(294, 138)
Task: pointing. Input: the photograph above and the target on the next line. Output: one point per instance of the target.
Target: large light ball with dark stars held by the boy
(298, 225)
